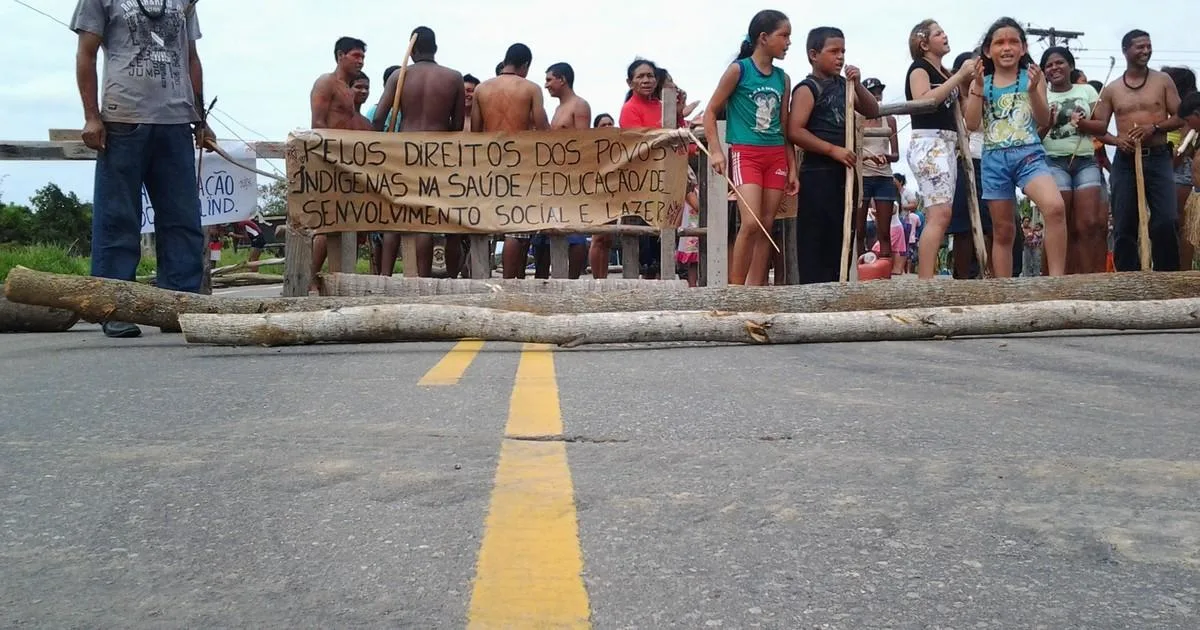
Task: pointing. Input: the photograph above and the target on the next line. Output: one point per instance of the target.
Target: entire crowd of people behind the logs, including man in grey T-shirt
(1034, 127)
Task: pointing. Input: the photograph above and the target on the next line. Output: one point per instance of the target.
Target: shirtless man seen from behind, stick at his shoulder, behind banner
(431, 100)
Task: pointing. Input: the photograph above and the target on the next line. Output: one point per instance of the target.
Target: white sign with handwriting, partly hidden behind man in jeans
(229, 194)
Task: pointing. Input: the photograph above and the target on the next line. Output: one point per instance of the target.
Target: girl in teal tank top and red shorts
(754, 94)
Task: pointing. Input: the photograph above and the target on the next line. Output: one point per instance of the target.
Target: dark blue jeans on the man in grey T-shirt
(164, 159)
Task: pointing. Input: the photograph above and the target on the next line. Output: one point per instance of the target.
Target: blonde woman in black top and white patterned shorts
(933, 149)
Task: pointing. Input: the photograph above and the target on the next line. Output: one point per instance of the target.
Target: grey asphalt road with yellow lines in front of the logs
(1036, 482)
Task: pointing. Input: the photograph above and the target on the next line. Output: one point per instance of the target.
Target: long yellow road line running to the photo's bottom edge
(530, 572)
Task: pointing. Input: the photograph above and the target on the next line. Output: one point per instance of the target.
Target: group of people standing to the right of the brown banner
(1036, 128)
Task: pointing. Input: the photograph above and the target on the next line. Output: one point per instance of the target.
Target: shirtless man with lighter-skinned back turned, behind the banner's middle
(511, 103)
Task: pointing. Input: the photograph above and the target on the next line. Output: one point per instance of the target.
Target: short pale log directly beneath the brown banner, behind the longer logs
(355, 285)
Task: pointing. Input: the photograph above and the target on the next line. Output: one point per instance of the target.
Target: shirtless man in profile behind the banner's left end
(334, 107)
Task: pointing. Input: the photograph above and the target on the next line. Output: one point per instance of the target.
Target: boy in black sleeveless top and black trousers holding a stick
(818, 125)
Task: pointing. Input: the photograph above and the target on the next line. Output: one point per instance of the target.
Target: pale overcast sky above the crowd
(261, 57)
